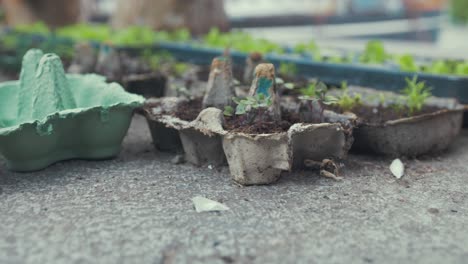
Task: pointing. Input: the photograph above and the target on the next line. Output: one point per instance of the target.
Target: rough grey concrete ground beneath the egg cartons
(137, 209)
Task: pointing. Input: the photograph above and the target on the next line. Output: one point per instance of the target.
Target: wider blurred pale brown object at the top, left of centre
(197, 15)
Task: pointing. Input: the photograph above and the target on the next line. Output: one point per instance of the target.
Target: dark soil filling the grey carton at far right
(380, 115)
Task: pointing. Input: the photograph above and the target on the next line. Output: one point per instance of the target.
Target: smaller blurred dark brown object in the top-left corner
(53, 12)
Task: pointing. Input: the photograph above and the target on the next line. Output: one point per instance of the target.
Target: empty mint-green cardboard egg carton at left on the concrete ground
(48, 116)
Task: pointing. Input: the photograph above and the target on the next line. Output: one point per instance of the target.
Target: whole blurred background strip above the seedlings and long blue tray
(420, 27)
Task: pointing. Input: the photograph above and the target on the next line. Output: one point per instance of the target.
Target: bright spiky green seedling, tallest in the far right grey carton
(416, 93)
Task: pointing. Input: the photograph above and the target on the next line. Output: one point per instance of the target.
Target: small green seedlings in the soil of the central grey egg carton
(259, 101)
